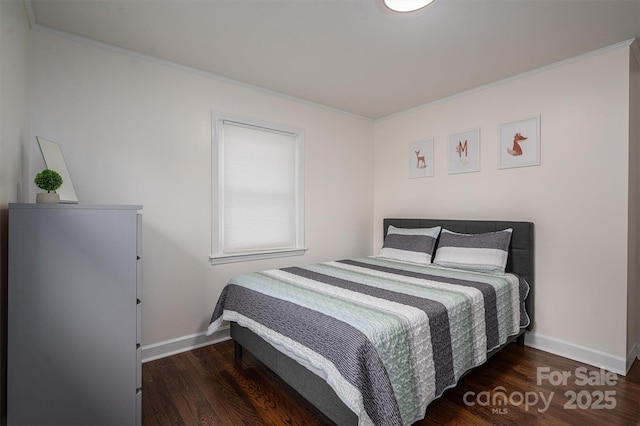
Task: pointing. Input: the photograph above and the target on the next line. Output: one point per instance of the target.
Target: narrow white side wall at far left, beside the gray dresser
(14, 132)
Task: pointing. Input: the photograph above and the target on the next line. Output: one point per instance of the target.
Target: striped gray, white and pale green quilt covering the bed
(389, 337)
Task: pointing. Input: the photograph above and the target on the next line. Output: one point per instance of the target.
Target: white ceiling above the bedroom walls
(352, 55)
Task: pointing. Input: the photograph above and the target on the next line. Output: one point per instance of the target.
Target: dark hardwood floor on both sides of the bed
(207, 386)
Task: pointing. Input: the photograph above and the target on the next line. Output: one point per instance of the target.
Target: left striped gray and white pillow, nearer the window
(410, 245)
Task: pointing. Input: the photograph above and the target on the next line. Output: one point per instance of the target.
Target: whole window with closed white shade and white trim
(258, 190)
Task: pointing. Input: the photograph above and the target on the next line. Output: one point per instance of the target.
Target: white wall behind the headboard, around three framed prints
(577, 197)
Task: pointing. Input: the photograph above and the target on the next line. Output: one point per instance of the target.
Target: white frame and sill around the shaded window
(218, 255)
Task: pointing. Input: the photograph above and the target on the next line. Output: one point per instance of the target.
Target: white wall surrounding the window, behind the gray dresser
(134, 131)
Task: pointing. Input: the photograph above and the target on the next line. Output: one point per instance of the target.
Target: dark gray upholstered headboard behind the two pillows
(521, 250)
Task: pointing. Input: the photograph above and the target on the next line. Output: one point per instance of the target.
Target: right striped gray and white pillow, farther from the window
(476, 252)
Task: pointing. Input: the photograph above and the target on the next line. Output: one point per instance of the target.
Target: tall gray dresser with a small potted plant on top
(74, 315)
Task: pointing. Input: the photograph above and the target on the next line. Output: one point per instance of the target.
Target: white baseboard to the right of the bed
(578, 353)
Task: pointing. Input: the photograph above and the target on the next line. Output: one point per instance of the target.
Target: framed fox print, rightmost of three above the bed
(519, 143)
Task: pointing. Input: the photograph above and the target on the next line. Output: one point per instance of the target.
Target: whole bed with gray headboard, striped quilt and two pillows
(374, 340)
